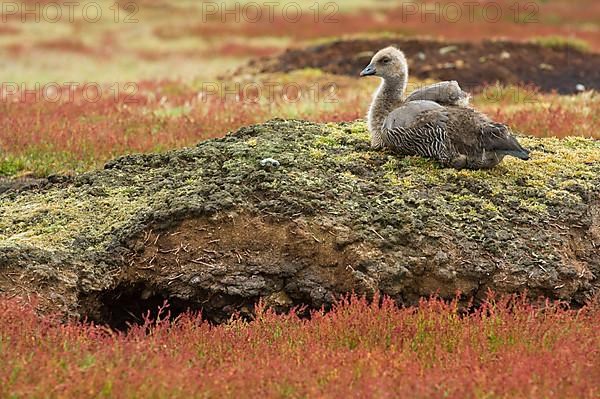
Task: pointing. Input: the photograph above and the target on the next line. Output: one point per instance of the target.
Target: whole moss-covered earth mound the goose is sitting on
(212, 228)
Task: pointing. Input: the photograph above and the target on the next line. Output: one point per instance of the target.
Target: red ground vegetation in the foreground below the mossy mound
(507, 348)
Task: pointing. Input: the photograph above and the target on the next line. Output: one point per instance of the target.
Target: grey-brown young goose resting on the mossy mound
(456, 136)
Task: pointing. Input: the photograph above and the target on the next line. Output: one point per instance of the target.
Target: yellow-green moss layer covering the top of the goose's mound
(324, 168)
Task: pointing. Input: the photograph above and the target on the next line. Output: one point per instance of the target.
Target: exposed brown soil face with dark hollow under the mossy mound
(224, 263)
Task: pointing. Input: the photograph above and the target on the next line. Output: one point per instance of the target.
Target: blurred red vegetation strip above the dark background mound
(448, 19)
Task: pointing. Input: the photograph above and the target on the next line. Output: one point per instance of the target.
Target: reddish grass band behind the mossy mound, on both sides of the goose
(87, 127)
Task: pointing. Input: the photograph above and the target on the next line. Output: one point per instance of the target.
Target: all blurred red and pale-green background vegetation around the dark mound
(152, 59)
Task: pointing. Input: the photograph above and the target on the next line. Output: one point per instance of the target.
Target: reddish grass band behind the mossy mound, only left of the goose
(76, 133)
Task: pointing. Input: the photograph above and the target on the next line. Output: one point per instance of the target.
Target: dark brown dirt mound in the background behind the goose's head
(473, 65)
